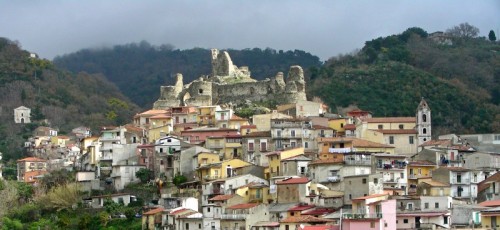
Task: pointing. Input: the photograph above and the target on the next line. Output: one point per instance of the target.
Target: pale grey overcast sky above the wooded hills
(323, 28)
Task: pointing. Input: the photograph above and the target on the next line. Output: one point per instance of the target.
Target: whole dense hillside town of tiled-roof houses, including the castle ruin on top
(299, 166)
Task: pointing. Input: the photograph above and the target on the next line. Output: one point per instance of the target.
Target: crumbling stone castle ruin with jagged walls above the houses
(229, 84)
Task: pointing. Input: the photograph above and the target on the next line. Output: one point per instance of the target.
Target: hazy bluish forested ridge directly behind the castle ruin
(139, 69)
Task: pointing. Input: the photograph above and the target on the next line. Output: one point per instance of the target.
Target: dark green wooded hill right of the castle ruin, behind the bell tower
(458, 75)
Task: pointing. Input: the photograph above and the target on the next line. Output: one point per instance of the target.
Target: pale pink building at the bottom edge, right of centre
(371, 212)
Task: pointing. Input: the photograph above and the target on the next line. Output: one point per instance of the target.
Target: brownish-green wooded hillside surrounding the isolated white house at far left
(66, 100)
